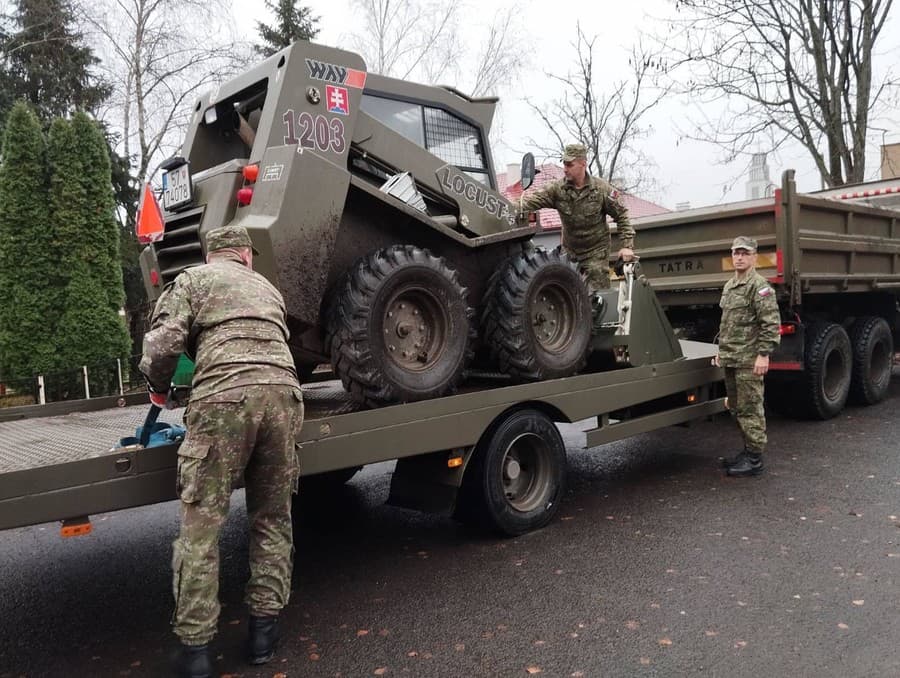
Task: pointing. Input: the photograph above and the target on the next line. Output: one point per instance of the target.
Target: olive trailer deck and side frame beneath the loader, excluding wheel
(62, 467)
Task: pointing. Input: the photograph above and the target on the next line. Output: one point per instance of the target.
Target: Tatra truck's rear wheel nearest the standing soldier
(827, 375)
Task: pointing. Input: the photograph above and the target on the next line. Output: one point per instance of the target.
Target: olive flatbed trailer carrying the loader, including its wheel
(490, 453)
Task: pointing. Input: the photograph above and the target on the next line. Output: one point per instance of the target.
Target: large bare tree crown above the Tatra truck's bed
(789, 70)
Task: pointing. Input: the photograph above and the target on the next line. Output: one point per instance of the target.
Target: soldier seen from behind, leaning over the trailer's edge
(243, 417)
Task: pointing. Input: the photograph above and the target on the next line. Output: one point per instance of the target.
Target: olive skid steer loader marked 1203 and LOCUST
(375, 209)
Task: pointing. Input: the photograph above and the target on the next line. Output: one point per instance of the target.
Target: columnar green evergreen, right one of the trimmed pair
(90, 330)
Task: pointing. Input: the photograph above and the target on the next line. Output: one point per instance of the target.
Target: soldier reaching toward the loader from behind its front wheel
(583, 203)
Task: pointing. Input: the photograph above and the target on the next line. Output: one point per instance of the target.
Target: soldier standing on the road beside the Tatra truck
(748, 334)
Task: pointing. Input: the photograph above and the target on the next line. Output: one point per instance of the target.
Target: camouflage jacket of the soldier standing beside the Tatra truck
(750, 320)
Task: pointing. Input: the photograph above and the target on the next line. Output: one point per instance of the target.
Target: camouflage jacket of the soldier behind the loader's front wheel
(583, 213)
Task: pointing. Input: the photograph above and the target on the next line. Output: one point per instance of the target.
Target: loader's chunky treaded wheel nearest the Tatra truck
(537, 317)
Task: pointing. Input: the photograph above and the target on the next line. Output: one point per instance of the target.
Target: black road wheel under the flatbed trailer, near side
(517, 474)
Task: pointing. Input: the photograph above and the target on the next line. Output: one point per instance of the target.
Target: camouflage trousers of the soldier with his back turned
(247, 432)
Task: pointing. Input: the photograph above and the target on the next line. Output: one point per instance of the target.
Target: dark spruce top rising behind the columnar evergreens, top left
(45, 62)
